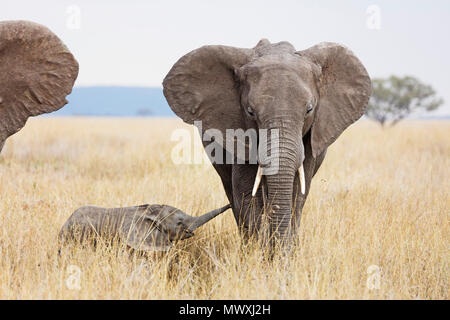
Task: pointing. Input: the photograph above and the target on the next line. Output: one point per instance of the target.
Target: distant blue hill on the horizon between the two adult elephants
(116, 101)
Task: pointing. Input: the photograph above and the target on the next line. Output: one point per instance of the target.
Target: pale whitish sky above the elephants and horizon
(136, 42)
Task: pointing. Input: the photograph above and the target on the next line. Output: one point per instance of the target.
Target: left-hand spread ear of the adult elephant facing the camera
(202, 86)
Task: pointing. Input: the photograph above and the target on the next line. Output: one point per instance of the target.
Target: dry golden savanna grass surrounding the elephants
(380, 198)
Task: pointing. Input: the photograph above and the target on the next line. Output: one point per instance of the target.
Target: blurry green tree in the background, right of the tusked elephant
(395, 98)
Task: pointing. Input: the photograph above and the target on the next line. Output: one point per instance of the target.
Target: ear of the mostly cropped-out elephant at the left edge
(37, 72)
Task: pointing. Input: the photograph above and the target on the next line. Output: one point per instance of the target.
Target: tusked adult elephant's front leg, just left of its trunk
(247, 210)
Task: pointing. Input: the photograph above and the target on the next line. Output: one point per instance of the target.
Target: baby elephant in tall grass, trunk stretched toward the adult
(145, 227)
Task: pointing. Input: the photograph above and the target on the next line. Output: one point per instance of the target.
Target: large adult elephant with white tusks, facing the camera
(309, 96)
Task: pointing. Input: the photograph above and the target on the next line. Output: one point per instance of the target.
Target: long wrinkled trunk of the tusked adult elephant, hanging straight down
(280, 183)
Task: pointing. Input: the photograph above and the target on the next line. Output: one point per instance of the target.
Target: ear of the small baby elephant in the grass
(145, 233)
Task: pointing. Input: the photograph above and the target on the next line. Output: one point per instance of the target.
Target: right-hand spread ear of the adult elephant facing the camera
(344, 91)
